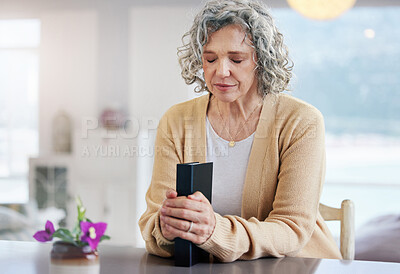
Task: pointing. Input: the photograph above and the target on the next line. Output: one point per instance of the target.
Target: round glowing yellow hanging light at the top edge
(321, 9)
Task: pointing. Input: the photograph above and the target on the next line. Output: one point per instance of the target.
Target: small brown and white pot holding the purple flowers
(68, 258)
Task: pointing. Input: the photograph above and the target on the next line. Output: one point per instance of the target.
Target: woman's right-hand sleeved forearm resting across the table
(236, 238)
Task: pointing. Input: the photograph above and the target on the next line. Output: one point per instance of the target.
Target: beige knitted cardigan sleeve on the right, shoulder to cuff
(291, 222)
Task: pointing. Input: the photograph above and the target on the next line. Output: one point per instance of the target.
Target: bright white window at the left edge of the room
(19, 73)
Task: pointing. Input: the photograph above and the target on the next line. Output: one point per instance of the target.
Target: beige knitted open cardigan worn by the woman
(283, 183)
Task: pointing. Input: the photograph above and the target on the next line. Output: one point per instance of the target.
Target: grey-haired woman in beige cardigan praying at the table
(267, 147)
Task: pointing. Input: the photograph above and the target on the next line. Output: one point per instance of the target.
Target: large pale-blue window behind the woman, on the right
(348, 68)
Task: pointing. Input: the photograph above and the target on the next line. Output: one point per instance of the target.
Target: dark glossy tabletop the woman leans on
(32, 257)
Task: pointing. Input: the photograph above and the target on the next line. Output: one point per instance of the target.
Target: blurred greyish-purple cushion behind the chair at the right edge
(379, 239)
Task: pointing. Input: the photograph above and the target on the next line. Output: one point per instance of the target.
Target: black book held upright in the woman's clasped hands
(192, 177)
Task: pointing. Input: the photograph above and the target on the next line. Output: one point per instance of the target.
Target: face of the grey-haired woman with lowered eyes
(228, 64)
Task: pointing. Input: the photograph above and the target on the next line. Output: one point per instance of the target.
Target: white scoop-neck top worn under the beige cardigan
(229, 171)
